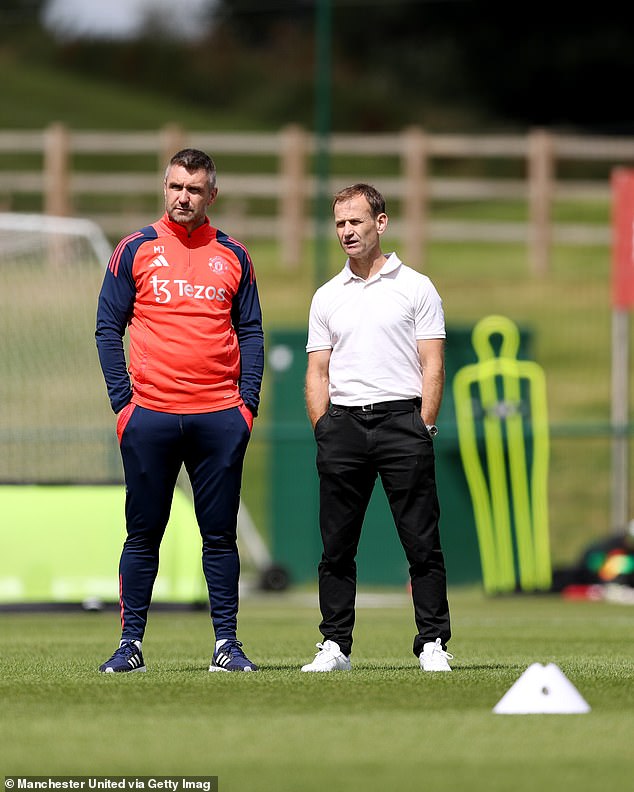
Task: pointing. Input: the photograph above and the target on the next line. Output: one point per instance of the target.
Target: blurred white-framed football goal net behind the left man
(56, 425)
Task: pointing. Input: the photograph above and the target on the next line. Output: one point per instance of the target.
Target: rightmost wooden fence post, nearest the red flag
(540, 189)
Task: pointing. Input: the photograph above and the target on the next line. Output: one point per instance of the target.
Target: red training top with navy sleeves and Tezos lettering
(191, 306)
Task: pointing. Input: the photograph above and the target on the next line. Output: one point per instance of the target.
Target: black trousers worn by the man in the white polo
(353, 448)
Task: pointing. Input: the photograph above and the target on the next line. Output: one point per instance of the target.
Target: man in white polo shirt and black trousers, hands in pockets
(374, 384)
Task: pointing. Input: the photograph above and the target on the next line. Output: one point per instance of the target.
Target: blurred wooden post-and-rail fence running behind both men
(68, 173)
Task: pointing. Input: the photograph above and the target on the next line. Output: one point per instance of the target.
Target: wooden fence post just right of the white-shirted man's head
(414, 168)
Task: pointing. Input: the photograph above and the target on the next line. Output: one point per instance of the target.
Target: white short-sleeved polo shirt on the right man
(372, 328)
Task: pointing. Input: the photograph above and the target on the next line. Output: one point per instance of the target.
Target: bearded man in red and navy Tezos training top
(187, 294)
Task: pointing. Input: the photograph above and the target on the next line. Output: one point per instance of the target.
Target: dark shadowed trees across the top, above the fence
(449, 65)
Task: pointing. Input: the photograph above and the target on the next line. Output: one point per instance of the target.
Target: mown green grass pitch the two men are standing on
(384, 726)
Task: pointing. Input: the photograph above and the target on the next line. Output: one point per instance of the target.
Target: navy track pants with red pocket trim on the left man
(154, 446)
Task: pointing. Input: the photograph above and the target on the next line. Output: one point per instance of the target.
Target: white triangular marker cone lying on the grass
(542, 689)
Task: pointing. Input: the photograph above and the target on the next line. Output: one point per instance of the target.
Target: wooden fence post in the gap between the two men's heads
(292, 219)
